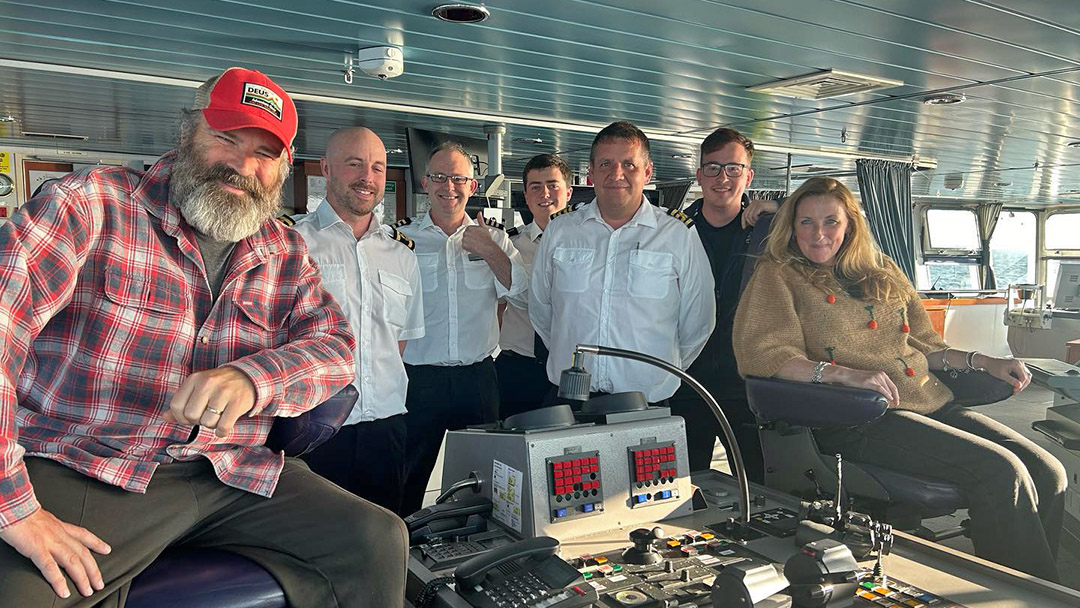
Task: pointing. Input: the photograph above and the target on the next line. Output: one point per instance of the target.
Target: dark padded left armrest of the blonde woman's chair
(806, 404)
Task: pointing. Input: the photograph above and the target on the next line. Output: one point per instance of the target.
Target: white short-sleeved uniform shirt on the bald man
(377, 282)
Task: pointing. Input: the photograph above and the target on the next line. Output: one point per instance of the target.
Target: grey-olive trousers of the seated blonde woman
(1016, 490)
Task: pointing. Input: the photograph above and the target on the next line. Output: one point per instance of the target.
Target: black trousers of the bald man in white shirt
(367, 460)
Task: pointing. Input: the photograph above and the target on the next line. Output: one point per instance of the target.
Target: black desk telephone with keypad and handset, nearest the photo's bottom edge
(524, 575)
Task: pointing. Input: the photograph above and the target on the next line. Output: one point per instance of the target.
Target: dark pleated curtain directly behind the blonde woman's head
(886, 190)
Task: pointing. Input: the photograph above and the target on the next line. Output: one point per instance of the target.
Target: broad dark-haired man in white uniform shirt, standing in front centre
(624, 274)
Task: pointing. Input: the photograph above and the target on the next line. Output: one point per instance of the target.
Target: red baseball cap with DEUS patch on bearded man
(239, 99)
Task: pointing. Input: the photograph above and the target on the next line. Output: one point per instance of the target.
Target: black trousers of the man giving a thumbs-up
(442, 399)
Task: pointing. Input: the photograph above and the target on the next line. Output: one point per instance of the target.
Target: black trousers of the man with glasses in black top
(703, 429)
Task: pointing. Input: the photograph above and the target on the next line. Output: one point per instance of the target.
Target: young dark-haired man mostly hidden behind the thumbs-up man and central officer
(523, 381)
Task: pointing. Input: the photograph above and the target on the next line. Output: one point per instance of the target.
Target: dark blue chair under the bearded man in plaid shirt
(206, 578)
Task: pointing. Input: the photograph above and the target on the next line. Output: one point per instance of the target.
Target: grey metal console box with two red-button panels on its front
(579, 479)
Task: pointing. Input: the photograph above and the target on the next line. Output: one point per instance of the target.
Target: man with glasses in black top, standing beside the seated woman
(725, 219)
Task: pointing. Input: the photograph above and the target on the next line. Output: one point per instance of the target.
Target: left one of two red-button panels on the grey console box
(575, 489)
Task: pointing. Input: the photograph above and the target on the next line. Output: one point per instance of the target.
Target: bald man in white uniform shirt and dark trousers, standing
(373, 274)
